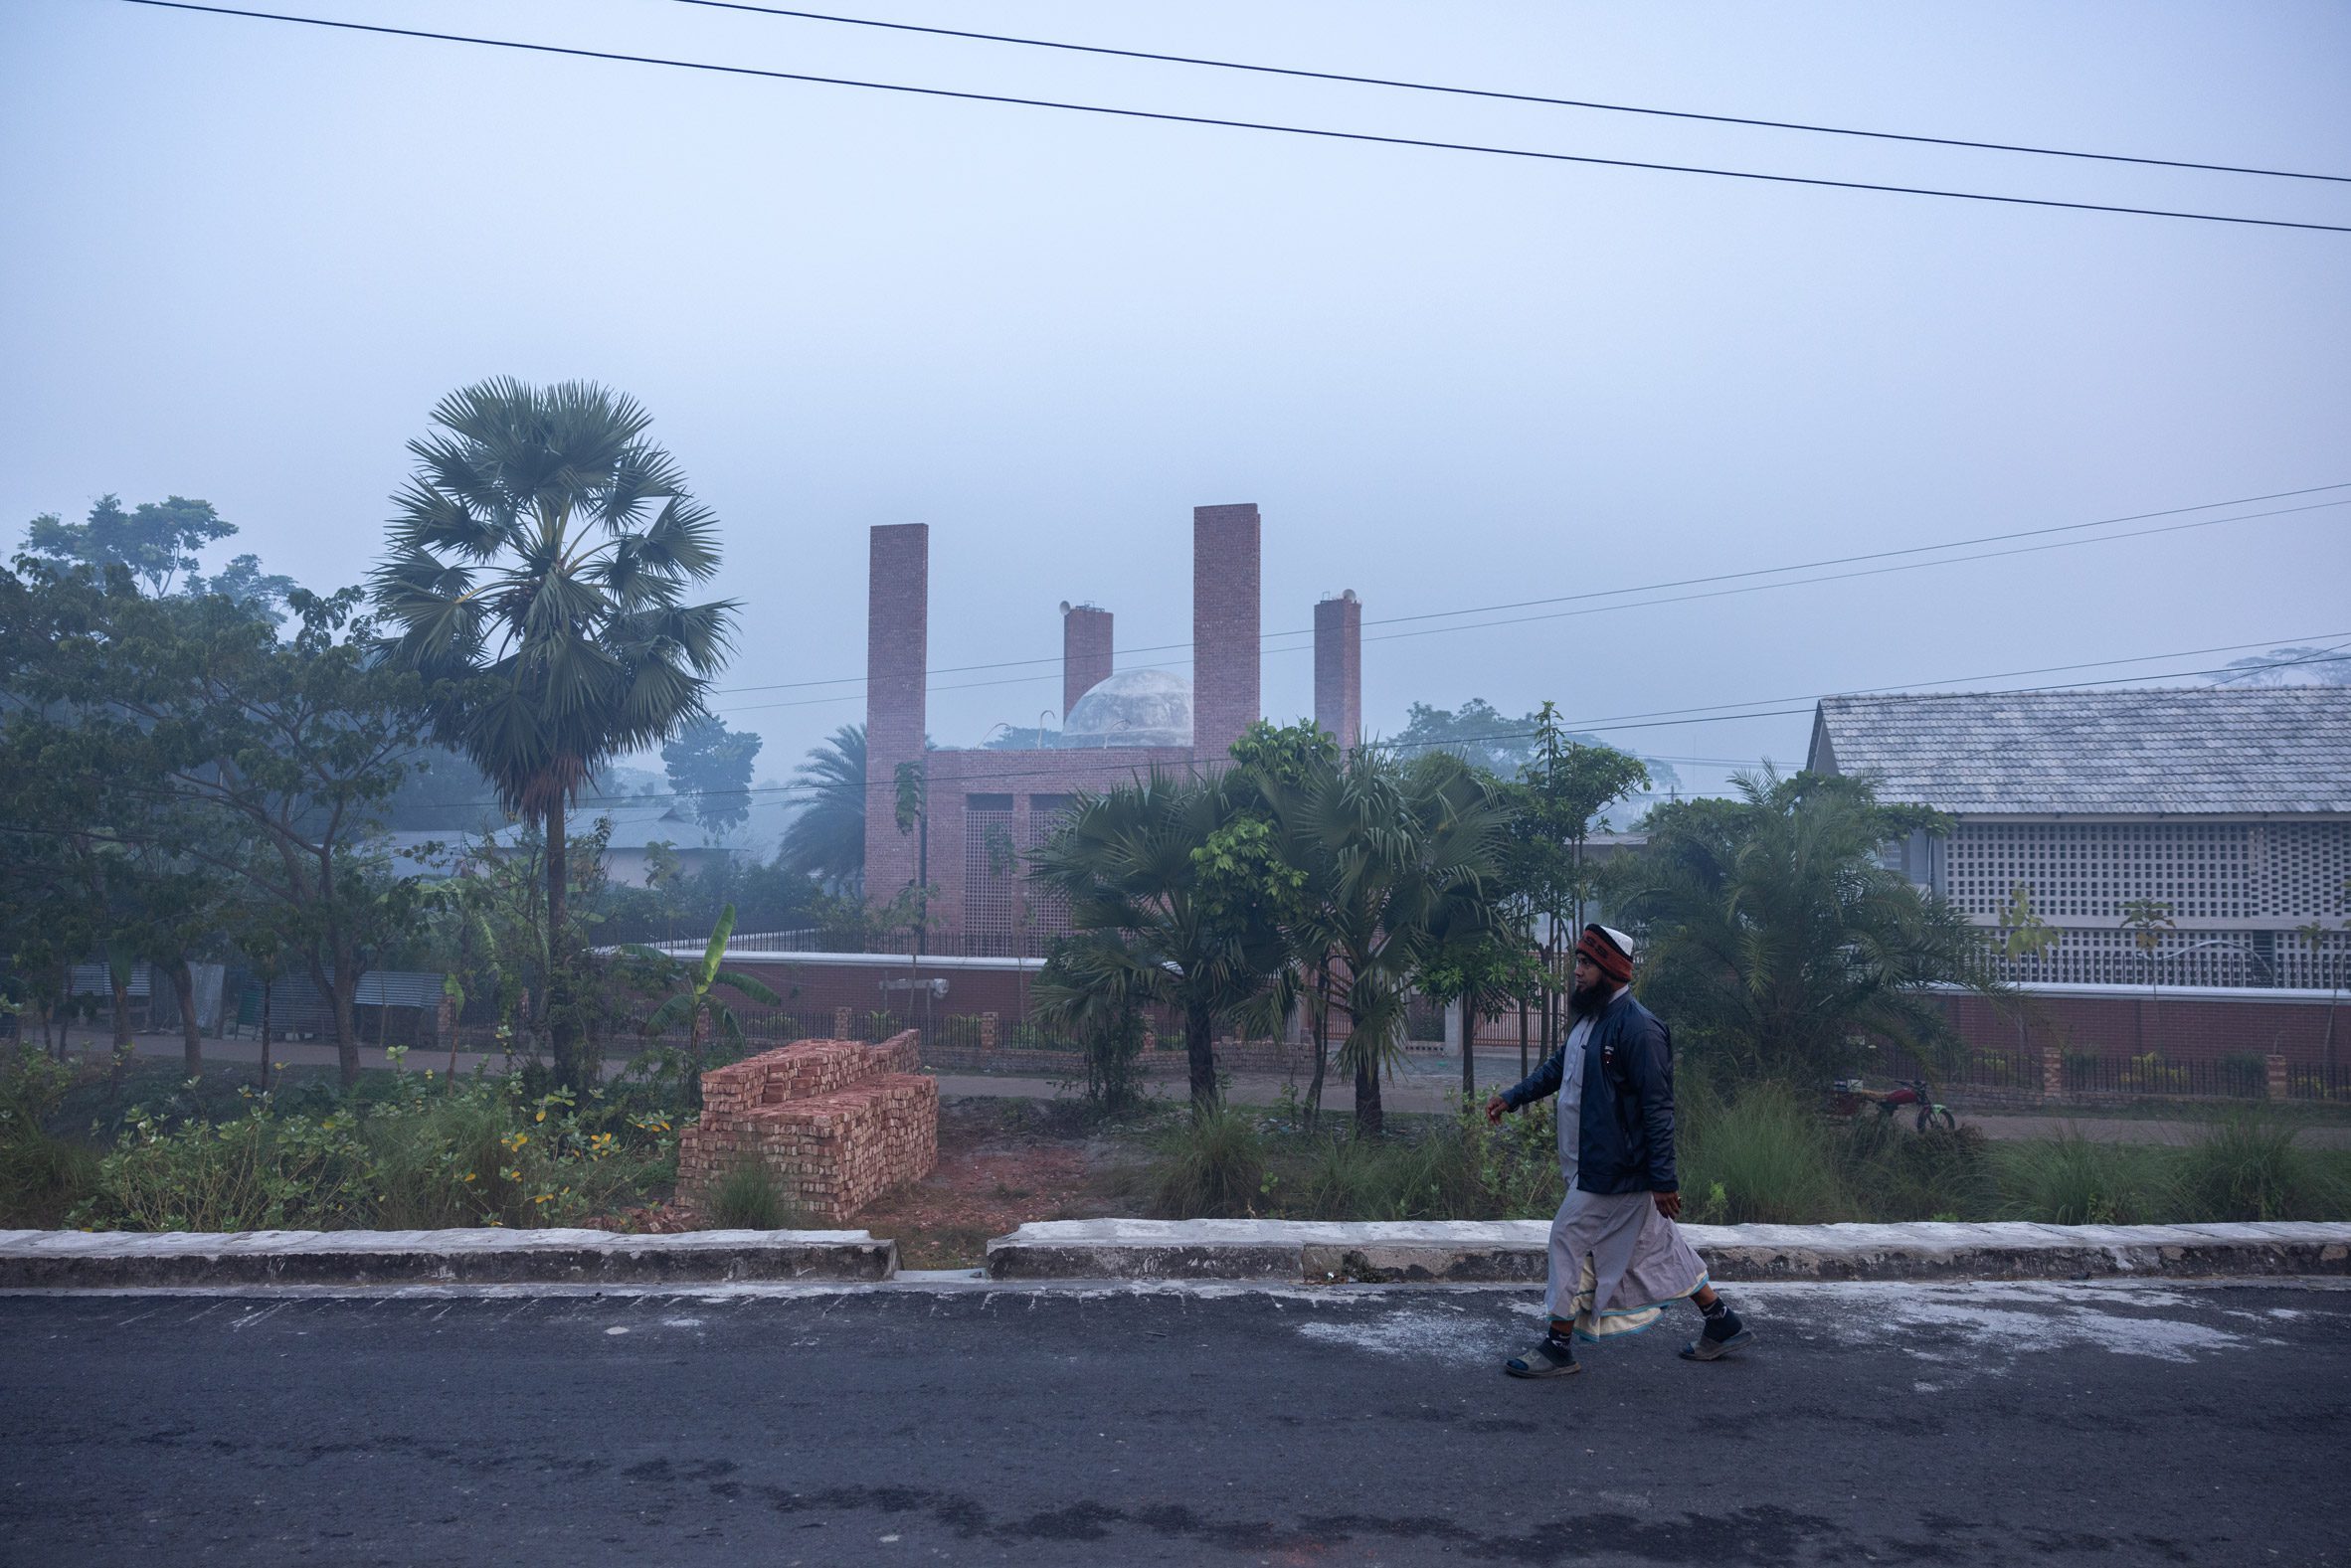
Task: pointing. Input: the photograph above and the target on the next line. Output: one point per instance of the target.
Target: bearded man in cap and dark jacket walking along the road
(1616, 1252)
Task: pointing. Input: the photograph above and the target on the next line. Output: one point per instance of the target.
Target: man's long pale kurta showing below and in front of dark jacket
(1616, 1261)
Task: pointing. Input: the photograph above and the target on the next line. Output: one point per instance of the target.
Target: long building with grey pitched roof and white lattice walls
(2230, 805)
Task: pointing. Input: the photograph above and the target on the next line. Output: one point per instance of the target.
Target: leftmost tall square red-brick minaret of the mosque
(897, 650)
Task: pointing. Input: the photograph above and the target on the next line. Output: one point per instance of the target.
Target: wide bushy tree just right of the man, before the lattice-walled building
(1779, 944)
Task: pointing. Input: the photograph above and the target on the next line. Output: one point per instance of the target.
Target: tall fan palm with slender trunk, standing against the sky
(537, 577)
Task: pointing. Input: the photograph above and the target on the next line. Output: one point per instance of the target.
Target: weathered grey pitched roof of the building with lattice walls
(2202, 751)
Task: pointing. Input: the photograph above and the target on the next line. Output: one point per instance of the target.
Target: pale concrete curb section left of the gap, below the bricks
(69, 1259)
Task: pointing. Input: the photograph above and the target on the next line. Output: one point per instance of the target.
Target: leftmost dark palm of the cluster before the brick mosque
(1151, 925)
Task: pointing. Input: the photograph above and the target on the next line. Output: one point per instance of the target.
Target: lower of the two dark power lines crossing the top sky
(1243, 126)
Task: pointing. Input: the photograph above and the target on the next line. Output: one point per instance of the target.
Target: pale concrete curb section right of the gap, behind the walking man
(1503, 1252)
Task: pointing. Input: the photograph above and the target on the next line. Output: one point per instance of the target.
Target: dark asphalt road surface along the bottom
(1212, 1426)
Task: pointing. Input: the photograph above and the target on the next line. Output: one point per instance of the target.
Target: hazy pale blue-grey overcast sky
(243, 260)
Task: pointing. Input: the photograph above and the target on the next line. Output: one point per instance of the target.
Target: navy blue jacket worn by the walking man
(1626, 1132)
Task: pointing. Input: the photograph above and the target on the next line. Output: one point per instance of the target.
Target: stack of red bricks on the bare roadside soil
(833, 1123)
